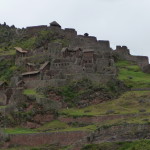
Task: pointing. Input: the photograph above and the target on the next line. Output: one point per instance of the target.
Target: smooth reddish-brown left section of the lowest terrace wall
(62, 138)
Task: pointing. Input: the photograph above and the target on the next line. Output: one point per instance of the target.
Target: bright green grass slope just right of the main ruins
(132, 75)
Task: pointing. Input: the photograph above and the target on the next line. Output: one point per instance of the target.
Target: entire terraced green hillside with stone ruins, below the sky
(60, 90)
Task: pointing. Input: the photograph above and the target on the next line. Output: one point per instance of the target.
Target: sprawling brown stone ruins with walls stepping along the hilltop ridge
(82, 56)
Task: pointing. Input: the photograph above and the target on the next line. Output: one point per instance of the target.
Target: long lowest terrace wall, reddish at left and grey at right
(114, 133)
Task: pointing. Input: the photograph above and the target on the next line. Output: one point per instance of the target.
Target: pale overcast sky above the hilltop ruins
(122, 22)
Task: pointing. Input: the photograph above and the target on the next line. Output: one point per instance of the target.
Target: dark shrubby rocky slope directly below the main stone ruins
(83, 92)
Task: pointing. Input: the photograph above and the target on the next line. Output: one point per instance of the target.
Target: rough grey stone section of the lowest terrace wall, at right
(126, 132)
